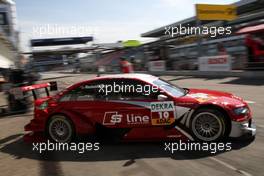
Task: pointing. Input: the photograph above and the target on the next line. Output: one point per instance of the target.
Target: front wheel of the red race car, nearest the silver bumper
(208, 125)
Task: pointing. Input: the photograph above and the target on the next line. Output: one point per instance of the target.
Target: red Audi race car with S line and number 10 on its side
(140, 107)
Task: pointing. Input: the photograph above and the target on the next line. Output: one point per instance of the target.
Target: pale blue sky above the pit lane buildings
(106, 20)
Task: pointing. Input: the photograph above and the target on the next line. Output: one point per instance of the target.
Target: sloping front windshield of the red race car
(167, 87)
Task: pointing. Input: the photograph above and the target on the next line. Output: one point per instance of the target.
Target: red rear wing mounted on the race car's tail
(19, 92)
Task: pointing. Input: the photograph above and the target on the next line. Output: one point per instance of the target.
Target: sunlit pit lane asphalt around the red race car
(246, 158)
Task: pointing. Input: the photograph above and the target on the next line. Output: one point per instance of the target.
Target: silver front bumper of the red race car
(239, 129)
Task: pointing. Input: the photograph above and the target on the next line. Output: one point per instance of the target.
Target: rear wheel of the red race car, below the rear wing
(60, 129)
